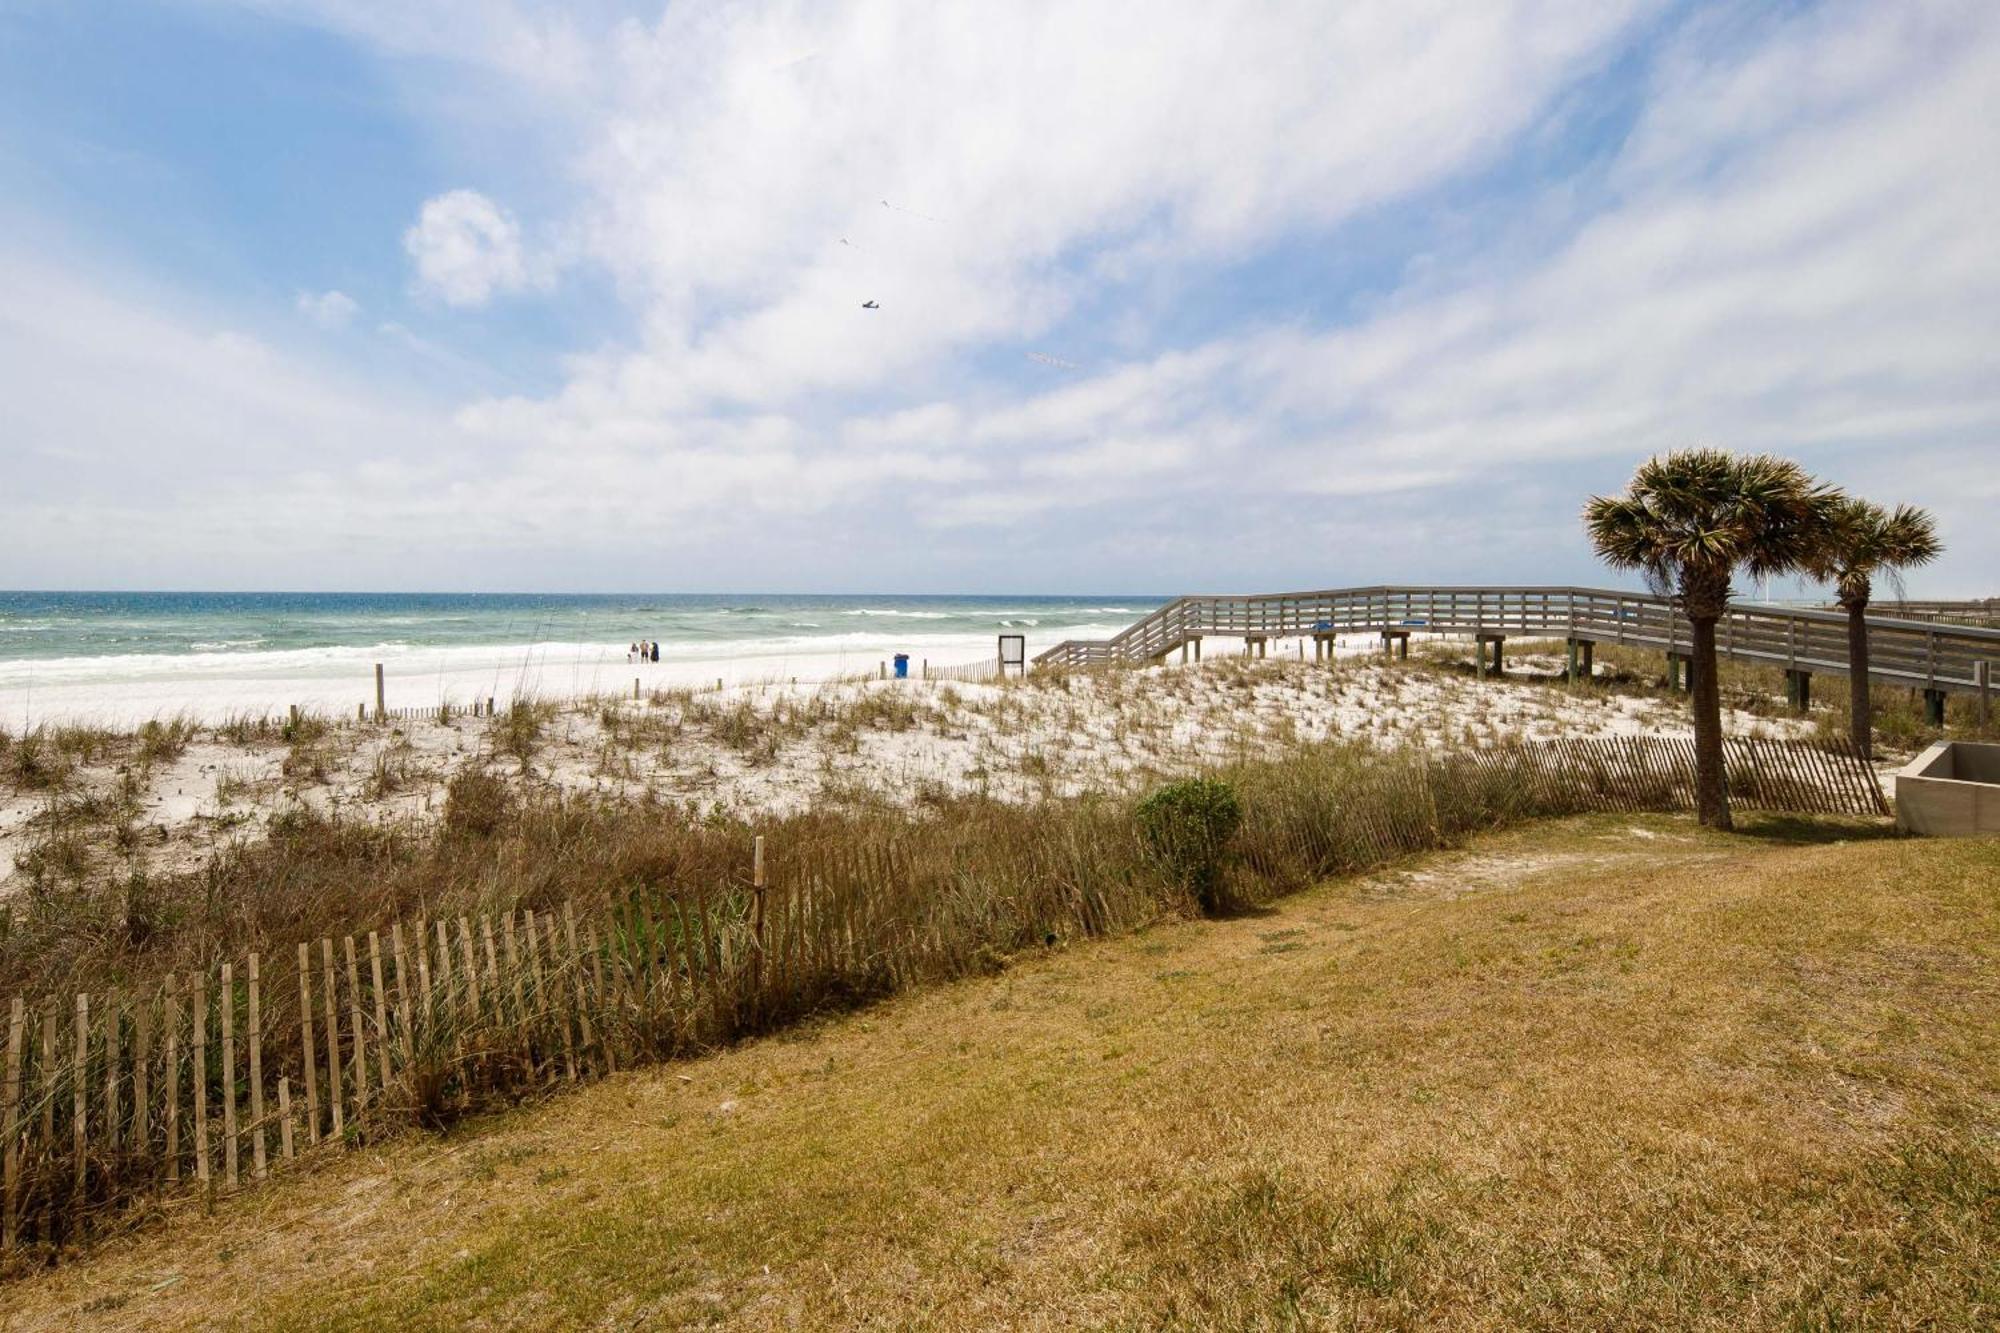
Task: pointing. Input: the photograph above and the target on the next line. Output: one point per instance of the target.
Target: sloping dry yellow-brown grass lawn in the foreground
(1601, 1074)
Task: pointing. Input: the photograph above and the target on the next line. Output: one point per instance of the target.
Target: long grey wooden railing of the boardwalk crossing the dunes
(1911, 653)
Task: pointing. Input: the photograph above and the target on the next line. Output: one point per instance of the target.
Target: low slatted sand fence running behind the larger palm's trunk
(1657, 774)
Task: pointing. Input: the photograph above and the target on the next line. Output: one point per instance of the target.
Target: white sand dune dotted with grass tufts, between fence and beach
(765, 746)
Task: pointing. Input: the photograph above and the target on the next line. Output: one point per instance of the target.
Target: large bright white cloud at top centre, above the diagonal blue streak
(1029, 151)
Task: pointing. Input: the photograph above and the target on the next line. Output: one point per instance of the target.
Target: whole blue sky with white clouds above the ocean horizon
(1083, 297)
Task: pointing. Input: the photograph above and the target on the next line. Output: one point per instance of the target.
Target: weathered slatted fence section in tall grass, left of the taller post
(213, 1082)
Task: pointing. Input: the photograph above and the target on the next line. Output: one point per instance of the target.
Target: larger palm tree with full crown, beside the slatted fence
(1689, 521)
